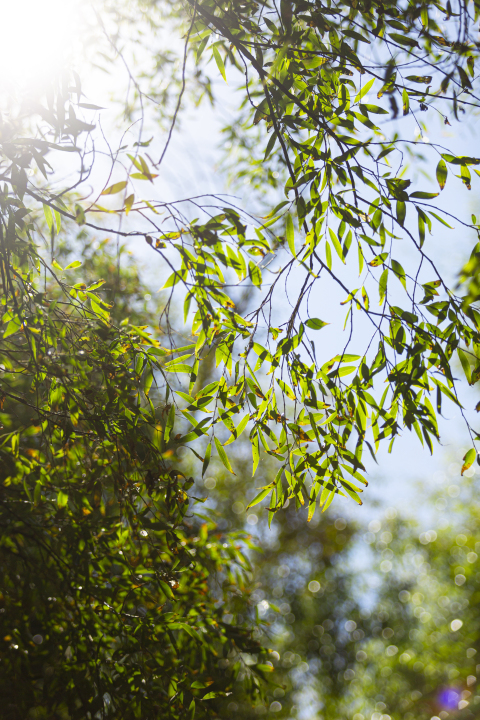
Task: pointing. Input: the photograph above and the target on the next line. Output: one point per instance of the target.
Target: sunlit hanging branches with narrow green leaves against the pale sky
(307, 112)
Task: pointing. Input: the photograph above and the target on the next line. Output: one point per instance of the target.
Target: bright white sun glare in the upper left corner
(38, 39)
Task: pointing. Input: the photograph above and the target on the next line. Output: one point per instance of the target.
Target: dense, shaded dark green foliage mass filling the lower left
(111, 590)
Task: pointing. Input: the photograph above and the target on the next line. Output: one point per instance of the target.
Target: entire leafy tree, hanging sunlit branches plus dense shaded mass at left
(99, 400)
